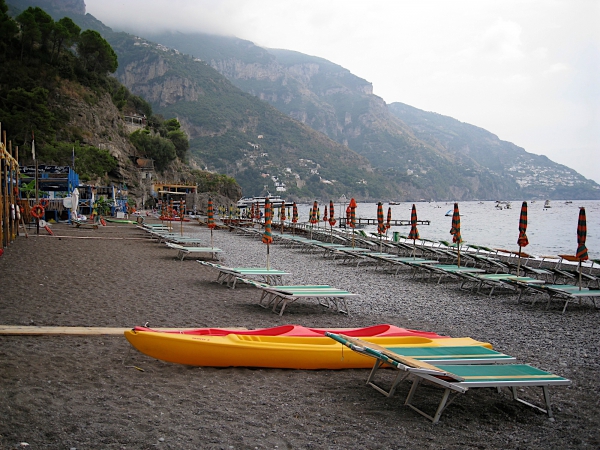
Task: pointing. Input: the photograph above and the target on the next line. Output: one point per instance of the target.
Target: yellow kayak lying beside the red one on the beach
(281, 352)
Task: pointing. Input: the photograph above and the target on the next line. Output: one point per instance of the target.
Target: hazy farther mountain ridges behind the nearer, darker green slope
(335, 102)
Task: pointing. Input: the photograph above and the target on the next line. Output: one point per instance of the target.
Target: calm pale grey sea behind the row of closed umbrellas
(551, 231)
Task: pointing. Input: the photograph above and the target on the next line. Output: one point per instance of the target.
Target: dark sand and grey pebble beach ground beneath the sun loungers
(96, 391)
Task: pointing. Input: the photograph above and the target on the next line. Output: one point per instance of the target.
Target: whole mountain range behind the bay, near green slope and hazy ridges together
(213, 85)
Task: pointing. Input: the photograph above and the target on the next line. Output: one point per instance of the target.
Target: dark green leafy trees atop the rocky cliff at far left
(37, 55)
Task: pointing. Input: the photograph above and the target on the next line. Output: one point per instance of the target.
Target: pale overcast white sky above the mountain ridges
(525, 70)
